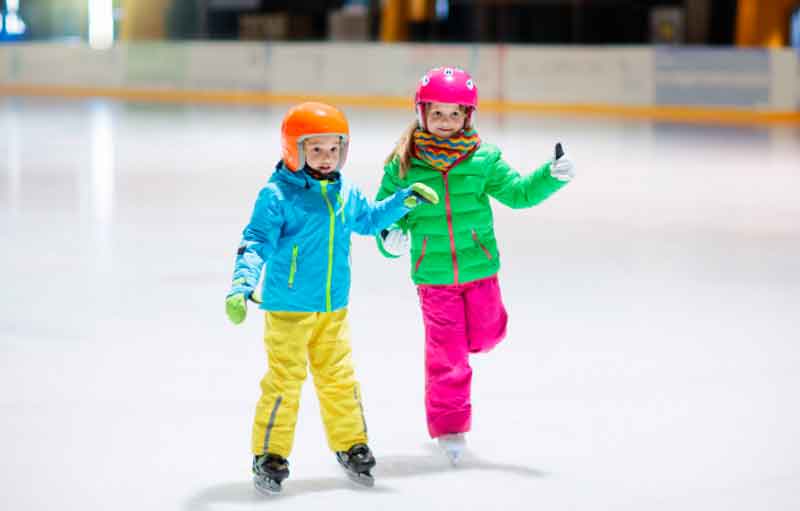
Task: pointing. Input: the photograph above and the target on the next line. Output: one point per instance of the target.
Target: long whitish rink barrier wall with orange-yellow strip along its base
(663, 83)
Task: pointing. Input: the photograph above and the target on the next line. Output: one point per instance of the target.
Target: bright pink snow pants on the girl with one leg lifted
(459, 319)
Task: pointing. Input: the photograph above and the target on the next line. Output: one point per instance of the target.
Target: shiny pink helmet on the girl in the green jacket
(446, 85)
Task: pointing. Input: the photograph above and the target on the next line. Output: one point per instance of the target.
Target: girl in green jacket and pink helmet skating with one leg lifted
(454, 253)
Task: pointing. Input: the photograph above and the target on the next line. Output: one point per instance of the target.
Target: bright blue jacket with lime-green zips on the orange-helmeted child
(301, 229)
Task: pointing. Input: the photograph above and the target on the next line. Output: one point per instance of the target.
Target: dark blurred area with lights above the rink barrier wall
(772, 23)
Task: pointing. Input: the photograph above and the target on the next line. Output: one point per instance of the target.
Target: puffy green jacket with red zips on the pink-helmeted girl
(453, 242)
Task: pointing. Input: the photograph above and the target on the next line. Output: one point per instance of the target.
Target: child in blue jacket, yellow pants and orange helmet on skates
(300, 228)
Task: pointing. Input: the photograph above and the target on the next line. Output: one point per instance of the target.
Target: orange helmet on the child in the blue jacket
(308, 120)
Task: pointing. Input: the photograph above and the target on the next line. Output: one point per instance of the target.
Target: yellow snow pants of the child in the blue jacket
(292, 340)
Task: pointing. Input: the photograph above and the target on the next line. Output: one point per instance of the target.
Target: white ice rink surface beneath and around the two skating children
(652, 360)
